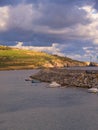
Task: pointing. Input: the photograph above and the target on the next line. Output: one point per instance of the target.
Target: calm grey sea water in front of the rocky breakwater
(27, 106)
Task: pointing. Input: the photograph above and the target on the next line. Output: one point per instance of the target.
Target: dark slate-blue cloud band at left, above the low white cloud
(28, 37)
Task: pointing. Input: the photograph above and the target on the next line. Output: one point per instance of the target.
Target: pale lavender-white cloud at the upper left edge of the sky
(21, 16)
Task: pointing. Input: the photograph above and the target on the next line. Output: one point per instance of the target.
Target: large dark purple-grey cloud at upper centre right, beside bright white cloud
(60, 16)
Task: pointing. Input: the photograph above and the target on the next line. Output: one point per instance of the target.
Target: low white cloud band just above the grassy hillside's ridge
(60, 49)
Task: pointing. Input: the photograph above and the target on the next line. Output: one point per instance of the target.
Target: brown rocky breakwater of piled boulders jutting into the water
(69, 78)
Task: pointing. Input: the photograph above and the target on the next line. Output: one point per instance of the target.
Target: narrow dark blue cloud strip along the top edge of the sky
(60, 2)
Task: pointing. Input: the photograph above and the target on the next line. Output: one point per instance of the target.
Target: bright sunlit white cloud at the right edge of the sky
(91, 30)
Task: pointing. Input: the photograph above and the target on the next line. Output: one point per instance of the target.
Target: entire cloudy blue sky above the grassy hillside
(63, 27)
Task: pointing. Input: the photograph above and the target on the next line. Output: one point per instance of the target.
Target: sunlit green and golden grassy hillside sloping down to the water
(25, 59)
